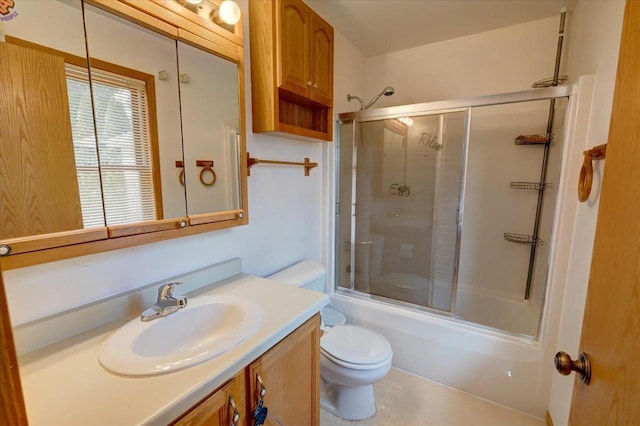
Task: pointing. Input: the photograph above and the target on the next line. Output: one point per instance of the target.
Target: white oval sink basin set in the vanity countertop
(207, 327)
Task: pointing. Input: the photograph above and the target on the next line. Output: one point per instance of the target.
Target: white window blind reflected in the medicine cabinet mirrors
(124, 147)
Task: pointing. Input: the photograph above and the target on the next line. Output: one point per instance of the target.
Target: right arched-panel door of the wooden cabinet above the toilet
(321, 54)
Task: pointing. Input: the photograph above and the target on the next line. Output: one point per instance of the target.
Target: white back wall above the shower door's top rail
(503, 60)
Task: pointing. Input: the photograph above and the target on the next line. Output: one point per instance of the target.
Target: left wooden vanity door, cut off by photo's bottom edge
(216, 409)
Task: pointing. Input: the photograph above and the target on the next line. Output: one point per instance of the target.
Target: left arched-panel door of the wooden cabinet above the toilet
(293, 36)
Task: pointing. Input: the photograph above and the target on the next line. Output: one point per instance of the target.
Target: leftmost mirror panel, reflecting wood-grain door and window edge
(48, 164)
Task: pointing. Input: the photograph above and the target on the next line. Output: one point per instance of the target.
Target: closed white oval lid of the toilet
(355, 345)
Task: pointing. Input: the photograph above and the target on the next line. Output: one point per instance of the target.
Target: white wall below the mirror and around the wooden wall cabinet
(286, 223)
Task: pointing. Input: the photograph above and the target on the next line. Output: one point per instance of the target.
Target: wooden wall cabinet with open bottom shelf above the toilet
(291, 69)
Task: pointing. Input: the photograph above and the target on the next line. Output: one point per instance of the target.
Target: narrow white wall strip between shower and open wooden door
(593, 43)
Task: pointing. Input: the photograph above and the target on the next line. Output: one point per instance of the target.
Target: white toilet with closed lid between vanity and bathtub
(352, 357)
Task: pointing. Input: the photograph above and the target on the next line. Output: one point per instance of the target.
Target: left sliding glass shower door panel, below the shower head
(399, 195)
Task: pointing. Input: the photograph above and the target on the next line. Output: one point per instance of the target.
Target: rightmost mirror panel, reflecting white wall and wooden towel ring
(210, 126)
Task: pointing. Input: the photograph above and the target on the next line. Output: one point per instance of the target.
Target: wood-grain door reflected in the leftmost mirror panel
(38, 181)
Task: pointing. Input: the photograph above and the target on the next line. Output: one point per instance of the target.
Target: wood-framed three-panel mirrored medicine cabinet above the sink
(122, 124)
